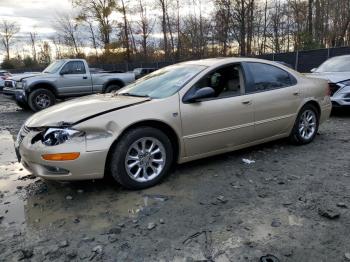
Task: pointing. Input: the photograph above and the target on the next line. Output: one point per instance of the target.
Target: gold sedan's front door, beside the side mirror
(222, 122)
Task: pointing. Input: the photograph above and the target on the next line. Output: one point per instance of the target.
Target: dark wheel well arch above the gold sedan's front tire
(166, 129)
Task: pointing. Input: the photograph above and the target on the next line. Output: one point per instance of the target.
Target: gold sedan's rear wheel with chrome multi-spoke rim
(305, 126)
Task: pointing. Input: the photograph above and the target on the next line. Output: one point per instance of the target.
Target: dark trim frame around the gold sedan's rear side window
(251, 84)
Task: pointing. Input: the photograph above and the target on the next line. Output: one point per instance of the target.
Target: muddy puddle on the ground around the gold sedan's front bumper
(32, 204)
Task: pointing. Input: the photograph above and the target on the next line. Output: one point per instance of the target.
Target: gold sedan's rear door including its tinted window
(276, 99)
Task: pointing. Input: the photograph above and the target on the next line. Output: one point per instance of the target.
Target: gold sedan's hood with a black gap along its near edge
(77, 110)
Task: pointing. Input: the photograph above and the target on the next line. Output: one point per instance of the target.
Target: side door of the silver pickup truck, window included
(74, 79)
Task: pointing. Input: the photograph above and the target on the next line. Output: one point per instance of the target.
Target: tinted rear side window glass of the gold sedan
(266, 77)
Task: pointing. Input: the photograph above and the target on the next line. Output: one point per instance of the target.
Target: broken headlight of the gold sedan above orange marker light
(57, 136)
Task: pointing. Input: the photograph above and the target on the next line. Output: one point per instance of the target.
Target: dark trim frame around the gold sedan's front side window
(189, 91)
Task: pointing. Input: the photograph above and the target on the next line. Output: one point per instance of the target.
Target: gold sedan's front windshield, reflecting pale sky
(164, 82)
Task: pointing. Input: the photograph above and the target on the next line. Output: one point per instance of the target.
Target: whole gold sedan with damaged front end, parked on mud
(177, 114)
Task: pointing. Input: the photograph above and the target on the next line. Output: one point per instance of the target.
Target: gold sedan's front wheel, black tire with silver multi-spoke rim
(141, 158)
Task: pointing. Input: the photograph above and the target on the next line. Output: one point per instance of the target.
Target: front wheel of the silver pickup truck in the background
(40, 99)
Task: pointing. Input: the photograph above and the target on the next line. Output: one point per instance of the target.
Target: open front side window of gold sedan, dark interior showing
(226, 81)
